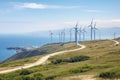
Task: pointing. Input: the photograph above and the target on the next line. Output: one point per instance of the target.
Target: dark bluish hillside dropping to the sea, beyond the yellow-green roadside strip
(48, 48)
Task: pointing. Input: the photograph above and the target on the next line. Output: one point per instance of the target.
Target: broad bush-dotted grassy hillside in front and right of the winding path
(103, 62)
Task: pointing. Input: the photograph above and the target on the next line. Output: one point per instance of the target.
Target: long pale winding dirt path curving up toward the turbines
(41, 60)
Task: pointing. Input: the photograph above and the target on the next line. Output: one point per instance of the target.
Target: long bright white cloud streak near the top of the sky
(41, 6)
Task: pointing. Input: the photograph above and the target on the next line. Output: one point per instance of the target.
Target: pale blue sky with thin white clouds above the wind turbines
(24, 16)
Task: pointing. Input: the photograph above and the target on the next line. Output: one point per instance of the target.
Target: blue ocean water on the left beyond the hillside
(18, 40)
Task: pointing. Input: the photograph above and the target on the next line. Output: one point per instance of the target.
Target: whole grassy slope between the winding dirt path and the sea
(34, 55)
